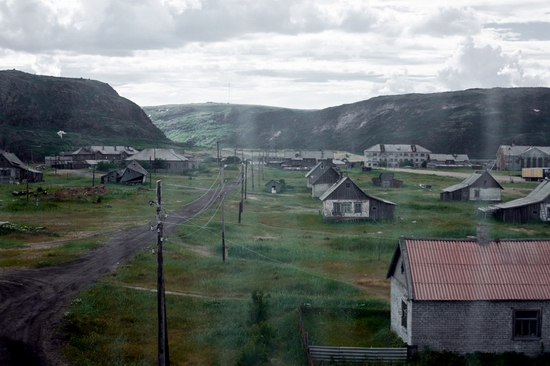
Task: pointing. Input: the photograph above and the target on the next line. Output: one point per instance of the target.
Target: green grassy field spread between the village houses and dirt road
(281, 247)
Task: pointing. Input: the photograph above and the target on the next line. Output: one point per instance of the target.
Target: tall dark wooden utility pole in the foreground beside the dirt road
(163, 359)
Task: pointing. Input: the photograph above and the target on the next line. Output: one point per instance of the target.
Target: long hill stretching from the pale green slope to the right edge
(473, 122)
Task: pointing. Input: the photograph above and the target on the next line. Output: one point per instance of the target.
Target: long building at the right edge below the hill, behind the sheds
(512, 157)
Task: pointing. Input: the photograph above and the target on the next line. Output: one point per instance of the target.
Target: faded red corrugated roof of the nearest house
(450, 269)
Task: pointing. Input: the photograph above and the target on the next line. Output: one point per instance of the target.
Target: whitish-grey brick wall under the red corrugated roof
(470, 326)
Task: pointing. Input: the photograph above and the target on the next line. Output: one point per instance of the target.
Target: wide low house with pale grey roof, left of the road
(167, 160)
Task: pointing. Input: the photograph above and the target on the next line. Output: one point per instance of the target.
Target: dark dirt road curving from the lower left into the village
(32, 301)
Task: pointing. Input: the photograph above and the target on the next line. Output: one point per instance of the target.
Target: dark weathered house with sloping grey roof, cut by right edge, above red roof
(534, 207)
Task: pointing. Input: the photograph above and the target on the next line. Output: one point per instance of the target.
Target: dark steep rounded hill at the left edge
(33, 108)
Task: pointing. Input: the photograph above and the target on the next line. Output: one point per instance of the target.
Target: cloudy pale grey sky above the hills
(306, 54)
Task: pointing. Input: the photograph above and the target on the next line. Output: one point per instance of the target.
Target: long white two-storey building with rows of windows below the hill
(386, 155)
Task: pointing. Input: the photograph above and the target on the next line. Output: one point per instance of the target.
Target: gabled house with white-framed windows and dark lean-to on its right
(346, 201)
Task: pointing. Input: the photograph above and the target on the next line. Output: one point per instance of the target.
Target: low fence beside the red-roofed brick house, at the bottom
(320, 354)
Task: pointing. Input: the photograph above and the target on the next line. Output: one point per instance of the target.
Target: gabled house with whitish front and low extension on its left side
(479, 186)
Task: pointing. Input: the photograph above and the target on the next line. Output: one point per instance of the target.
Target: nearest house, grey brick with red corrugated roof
(468, 295)
